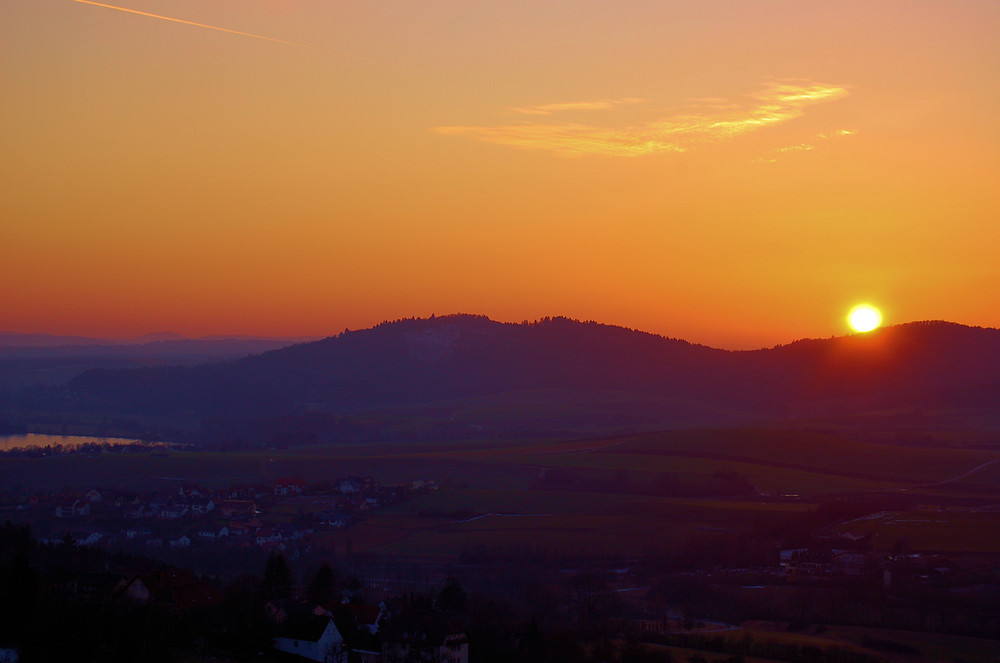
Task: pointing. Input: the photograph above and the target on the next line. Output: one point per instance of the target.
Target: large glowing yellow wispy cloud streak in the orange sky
(712, 120)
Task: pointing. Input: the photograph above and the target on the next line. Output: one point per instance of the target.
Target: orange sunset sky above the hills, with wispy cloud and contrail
(735, 173)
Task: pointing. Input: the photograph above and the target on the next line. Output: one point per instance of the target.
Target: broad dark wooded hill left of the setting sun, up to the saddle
(415, 361)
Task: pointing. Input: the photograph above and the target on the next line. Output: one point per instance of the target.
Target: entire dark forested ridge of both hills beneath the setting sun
(473, 364)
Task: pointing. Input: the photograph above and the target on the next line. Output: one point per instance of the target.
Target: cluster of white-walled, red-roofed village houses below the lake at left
(287, 514)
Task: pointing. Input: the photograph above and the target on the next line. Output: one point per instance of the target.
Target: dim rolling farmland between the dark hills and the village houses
(494, 494)
